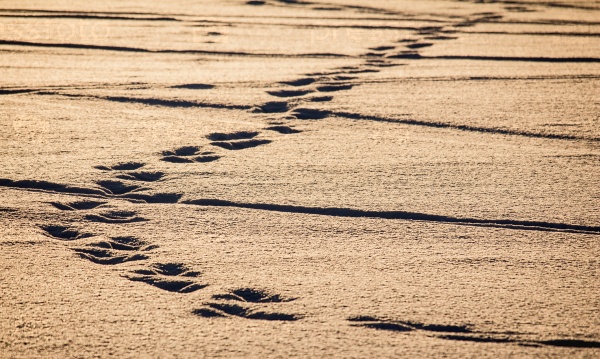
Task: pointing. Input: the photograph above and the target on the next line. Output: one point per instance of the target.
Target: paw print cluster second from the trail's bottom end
(168, 277)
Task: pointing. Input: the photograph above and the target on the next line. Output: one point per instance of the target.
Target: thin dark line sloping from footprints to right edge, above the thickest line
(356, 116)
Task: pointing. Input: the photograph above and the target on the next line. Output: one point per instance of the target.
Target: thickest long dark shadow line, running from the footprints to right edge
(402, 215)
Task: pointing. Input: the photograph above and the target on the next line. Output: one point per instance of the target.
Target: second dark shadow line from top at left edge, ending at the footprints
(193, 52)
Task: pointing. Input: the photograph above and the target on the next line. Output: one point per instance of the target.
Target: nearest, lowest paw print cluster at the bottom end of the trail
(245, 295)
